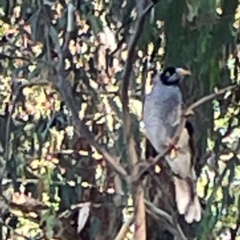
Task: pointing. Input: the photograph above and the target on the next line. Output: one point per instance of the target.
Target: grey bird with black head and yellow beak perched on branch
(161, 117)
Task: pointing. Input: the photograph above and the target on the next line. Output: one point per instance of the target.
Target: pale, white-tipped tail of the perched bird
(187, 200)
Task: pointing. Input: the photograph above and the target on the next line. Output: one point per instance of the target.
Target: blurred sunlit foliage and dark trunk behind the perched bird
(55, 183)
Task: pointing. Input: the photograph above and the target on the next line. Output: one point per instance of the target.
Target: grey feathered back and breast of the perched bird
(162, 111)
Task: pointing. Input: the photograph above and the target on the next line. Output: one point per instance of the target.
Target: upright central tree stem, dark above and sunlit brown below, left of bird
(137, 189)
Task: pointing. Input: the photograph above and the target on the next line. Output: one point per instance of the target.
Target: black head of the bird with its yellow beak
(172, 75)
